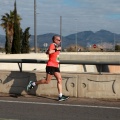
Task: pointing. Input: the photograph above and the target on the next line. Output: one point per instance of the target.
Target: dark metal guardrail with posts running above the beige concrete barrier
(88, 62)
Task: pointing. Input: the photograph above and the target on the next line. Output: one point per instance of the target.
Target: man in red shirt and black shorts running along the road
(52, 68)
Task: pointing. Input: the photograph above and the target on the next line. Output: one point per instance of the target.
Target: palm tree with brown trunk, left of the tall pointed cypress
(8, 26)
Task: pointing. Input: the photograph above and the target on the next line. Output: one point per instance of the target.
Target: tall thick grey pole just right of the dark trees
(35, 35)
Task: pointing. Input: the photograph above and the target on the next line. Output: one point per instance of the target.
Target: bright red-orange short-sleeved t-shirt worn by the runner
(54, 57)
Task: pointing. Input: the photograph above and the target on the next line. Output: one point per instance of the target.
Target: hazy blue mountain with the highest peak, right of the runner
(89, 37)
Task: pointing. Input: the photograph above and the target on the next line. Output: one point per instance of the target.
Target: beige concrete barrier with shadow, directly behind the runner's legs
(74, 85)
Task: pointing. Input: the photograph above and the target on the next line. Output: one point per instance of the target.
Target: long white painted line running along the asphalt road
(58, 104)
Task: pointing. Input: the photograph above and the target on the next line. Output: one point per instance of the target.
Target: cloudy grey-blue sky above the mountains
(76, 15)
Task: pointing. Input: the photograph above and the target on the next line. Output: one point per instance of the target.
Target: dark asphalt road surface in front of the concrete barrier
(48, 108)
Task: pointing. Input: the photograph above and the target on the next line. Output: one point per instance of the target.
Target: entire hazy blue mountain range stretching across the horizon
(83, 38)
